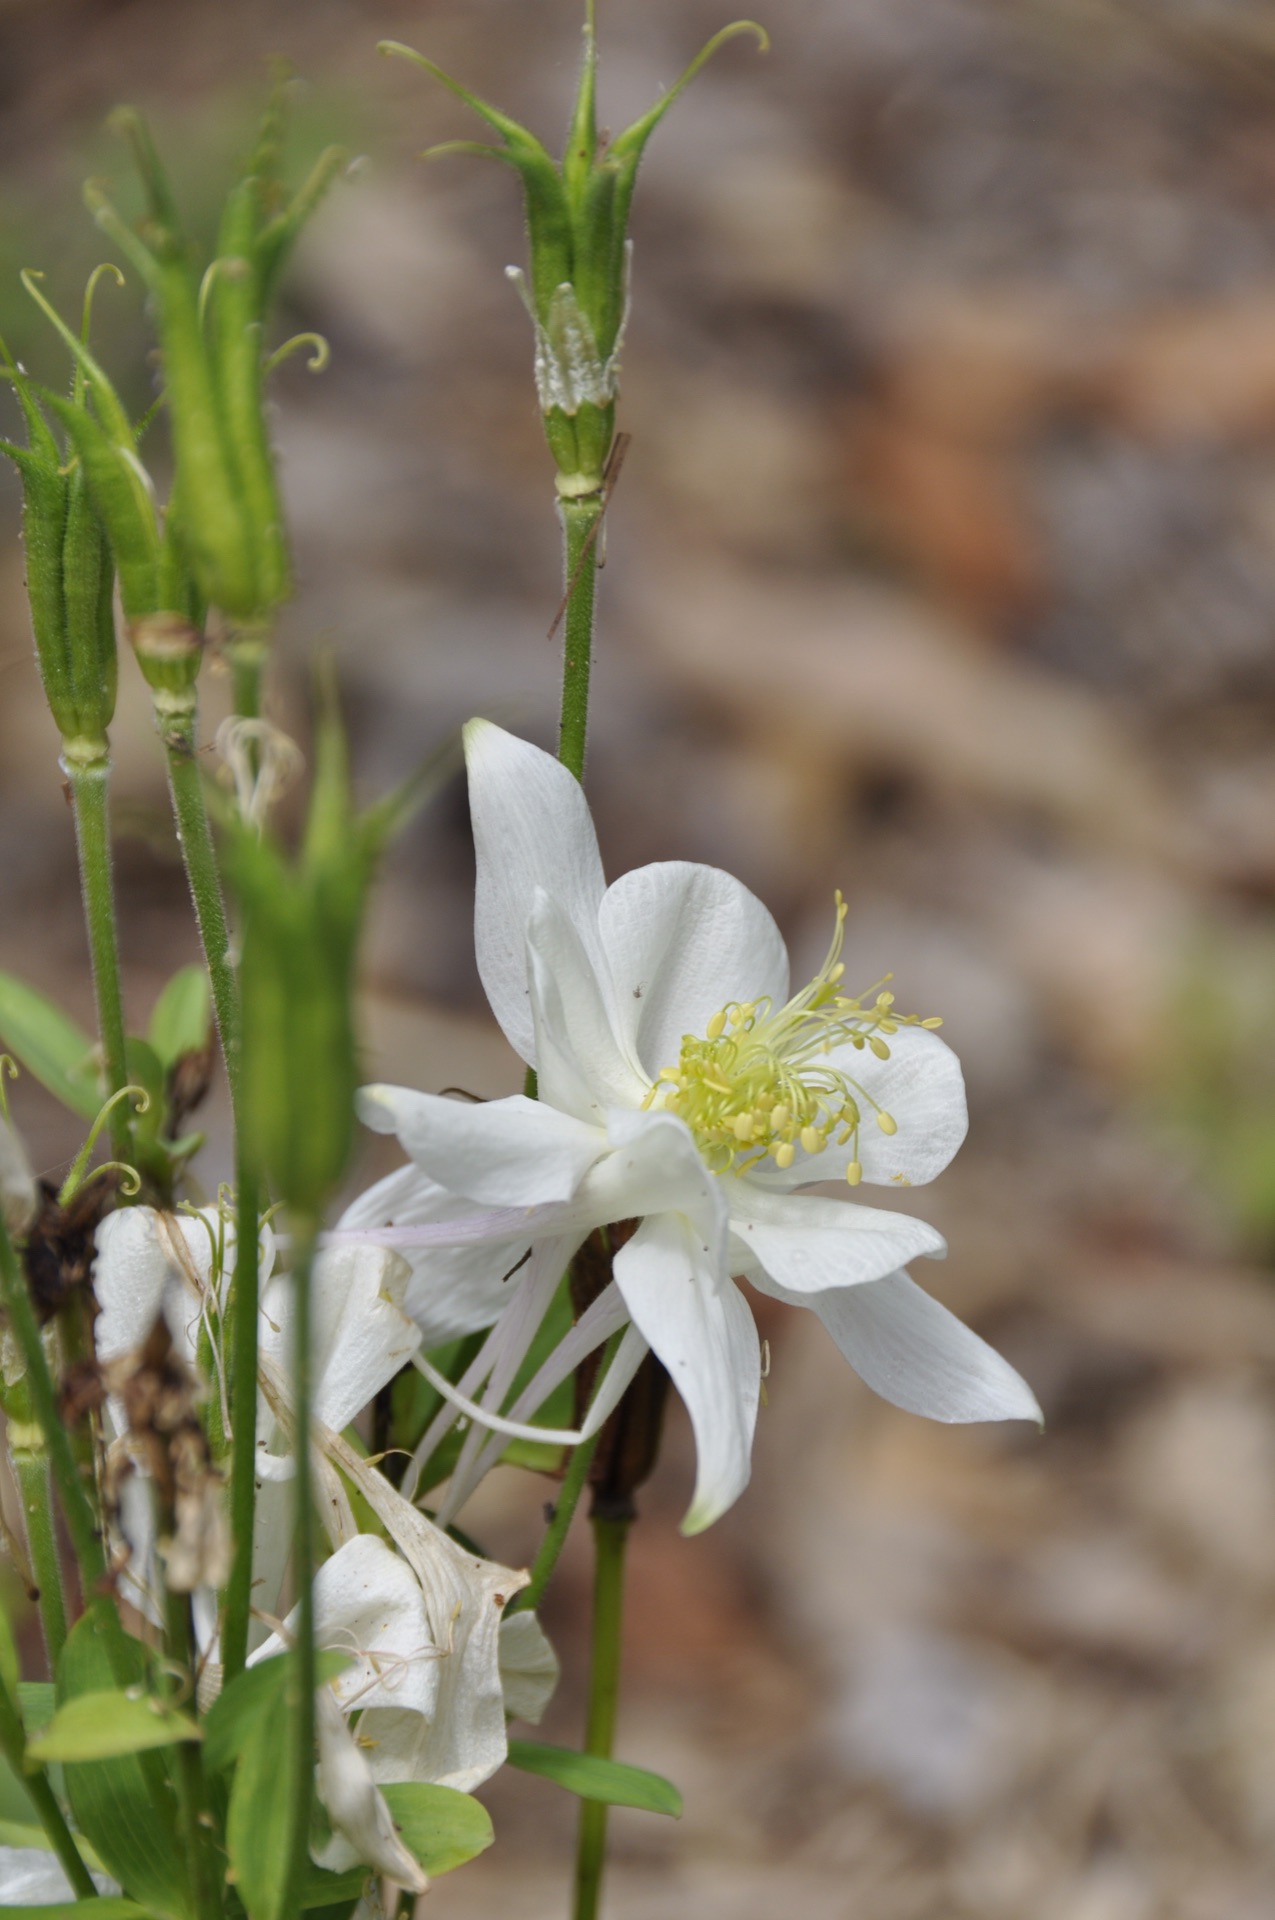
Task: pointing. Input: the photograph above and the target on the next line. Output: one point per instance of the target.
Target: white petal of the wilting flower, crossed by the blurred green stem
(362, 1335)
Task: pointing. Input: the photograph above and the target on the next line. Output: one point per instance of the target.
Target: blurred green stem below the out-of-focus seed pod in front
(302, 1692)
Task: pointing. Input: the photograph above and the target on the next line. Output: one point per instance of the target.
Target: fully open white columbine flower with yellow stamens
(681, 1088)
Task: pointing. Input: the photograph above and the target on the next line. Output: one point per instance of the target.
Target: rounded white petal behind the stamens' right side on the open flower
(921, 1088)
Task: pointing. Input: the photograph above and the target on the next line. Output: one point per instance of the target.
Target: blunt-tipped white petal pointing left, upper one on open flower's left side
(504, 1153)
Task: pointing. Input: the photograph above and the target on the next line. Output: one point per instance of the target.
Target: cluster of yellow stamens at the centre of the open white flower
(759, 1084)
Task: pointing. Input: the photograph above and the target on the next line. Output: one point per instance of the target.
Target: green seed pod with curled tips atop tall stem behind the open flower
(577, 220)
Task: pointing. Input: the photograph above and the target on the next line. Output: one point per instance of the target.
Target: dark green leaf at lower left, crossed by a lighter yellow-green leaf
(110, 1800)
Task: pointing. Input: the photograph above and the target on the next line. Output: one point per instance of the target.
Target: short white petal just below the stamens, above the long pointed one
(807, 1243)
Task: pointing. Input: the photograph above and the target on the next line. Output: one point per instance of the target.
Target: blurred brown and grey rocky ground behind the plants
(942, 569)
